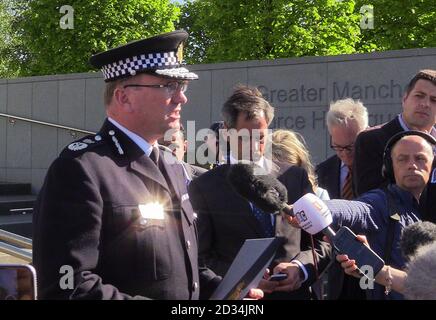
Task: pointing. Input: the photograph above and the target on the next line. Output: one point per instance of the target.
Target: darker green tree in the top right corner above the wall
(402, 24)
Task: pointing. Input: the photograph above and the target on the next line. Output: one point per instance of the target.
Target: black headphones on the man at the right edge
(387, 169)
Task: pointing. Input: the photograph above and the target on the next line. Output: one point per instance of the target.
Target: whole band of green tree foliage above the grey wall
(33, 43)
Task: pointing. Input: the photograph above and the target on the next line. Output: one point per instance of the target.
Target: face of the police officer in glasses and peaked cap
(153, 111)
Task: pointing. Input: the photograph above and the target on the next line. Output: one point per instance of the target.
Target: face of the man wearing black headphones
(412, 159)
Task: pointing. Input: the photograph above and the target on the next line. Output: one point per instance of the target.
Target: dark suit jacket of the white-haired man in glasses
(329, 176)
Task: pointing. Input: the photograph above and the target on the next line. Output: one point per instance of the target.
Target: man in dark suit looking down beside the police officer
(226, 220)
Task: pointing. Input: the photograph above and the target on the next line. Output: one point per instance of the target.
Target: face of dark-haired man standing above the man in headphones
(419, 106)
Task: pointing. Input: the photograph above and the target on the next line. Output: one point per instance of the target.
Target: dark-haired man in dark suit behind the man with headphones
(419, 113)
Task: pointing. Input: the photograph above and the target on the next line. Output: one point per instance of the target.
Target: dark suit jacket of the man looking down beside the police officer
(226, 220)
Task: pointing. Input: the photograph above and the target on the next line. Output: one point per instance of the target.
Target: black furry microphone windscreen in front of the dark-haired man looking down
(257, 186)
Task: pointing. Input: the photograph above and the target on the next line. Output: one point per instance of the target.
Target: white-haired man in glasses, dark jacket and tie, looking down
(345, 120)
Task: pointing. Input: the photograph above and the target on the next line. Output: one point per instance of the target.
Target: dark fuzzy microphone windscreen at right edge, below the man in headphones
(416, 235)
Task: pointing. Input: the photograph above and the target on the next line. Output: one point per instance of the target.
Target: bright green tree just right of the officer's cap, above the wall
(234, 30)
